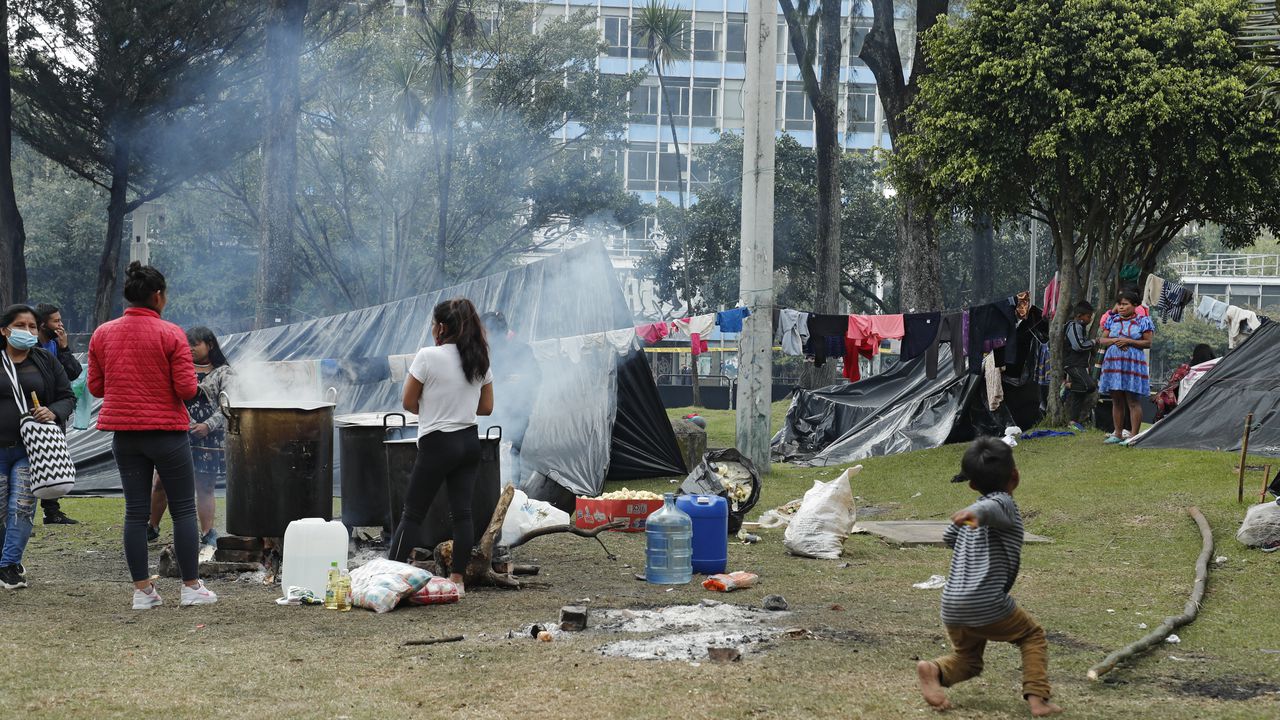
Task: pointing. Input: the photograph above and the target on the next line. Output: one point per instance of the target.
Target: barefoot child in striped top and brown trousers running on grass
(988, 540)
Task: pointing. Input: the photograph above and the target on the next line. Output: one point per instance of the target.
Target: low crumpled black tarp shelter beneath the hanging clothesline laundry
(899, 411)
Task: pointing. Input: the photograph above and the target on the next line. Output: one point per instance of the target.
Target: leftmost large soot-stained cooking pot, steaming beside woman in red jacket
(280, 466)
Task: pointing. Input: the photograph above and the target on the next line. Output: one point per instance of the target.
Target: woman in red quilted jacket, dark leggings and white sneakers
(141, 368)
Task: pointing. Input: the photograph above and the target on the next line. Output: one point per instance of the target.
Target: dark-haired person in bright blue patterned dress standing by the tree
(1126, 376)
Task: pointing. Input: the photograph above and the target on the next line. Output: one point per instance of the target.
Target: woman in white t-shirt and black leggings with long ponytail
(447, 388)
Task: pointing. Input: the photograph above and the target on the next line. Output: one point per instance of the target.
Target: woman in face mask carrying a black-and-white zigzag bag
(39, 373)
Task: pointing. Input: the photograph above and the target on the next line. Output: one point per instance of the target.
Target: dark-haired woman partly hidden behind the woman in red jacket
(208, 436)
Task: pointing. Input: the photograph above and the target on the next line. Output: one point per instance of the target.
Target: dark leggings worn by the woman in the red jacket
(140, 455)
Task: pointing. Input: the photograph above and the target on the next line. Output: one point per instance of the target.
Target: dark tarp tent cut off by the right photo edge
(1213, 414)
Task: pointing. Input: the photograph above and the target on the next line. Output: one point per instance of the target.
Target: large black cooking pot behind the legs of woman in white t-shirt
(438, 525)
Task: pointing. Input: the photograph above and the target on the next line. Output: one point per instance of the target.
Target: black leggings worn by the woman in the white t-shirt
(444, 461)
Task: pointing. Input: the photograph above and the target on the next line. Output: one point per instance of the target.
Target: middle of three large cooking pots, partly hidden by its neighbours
(364, 466)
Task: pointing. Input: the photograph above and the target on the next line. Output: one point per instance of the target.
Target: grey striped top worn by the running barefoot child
(985, 563)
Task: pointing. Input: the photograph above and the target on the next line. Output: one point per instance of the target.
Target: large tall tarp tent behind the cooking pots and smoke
(559, 306)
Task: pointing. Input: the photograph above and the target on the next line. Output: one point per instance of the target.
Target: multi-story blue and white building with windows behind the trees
(706, 94)
